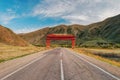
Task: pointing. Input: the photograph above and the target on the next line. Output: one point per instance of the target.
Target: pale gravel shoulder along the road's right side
(106, 66)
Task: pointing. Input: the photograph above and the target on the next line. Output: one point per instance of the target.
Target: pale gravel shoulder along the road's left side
(11, 65)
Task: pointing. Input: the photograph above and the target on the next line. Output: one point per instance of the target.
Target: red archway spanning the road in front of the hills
(60, 37)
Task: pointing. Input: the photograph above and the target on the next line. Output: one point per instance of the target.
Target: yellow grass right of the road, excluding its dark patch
(91, 52)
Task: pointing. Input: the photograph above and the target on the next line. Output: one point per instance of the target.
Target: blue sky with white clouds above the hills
(28, 15)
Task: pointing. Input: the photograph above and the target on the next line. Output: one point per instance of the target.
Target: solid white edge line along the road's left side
(22, 67)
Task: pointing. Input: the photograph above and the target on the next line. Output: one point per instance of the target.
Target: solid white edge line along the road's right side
(115, 77)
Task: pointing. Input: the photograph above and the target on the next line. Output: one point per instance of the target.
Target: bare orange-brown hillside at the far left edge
(9, 37)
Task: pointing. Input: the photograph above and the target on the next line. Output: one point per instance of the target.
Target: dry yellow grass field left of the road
(8, 52)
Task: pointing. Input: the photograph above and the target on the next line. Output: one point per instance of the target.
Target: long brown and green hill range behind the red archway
(101, 34)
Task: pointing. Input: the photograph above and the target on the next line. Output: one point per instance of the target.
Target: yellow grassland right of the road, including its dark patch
(99, 54)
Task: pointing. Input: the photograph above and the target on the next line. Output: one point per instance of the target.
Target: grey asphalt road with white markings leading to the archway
(60, 64)
